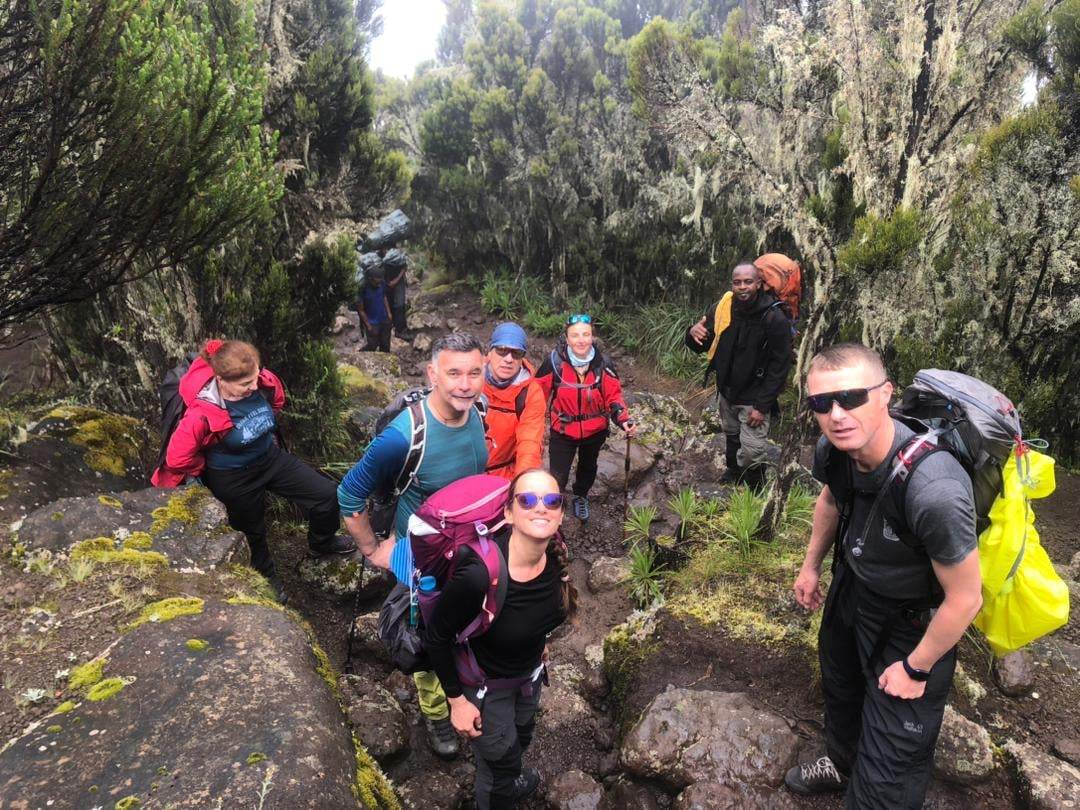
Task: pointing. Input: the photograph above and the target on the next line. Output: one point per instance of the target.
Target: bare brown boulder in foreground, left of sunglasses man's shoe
(687, 736)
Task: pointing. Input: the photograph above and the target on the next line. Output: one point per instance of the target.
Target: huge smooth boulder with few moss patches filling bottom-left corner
(210, 708)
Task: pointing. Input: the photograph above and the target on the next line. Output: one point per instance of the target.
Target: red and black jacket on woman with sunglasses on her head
(582, 404)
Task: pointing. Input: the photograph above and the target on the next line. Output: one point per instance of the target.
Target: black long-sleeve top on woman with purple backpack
(514, 645)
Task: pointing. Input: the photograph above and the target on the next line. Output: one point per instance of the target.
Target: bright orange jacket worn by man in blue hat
(516, 423)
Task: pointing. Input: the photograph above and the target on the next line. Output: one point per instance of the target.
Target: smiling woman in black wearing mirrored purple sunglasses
(501, 721)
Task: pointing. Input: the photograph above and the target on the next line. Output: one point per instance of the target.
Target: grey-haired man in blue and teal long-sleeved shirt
(454, 449)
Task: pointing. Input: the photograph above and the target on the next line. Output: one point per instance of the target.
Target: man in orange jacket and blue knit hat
(517, 404)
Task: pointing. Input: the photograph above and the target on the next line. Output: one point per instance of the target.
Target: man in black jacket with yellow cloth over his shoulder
(749, 340)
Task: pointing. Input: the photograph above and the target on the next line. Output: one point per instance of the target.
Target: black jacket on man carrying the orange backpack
(754, 356)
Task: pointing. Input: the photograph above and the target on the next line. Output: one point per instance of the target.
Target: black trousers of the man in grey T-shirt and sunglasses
(884, 745)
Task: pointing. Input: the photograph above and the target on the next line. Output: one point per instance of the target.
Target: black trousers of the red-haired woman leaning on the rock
(244, 493)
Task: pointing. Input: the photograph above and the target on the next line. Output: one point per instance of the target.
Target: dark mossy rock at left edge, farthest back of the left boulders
(72, 451)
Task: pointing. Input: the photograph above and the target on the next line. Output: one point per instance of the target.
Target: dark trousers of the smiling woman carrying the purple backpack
(508, 719)
